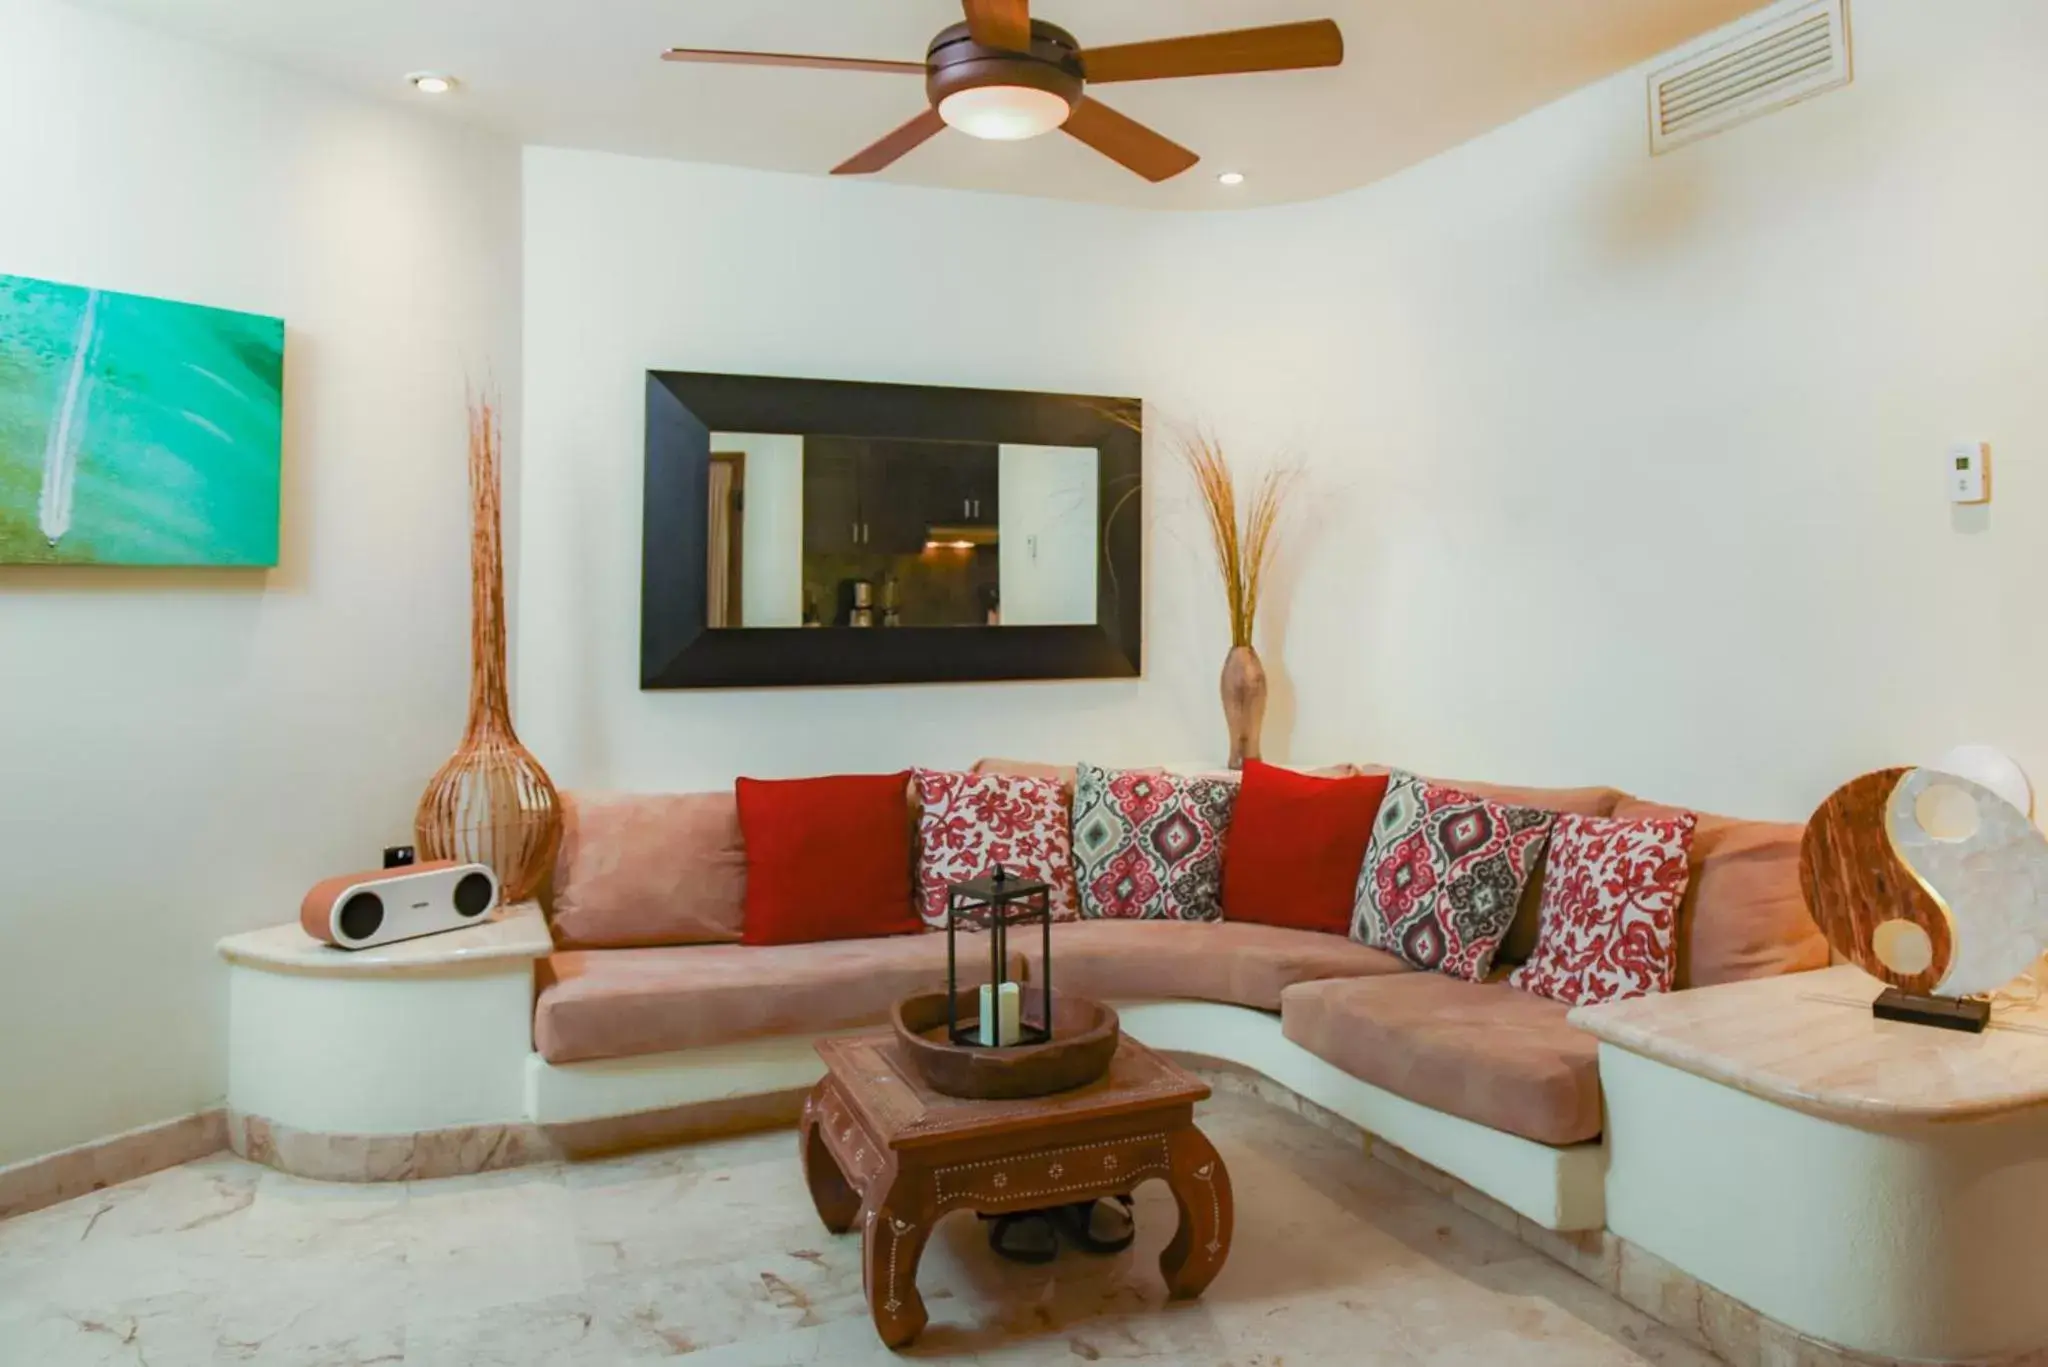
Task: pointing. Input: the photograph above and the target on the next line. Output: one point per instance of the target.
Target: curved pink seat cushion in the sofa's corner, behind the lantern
(1234, 962)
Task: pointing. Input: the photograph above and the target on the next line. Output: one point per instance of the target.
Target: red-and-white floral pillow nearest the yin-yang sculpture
(1609, 921)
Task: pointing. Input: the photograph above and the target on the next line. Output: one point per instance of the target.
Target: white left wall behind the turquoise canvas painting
(185, 755)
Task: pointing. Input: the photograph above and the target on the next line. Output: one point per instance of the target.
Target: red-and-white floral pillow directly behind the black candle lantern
(974, 823)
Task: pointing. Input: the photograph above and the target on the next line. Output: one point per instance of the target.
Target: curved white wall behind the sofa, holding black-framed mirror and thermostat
(1623, 470)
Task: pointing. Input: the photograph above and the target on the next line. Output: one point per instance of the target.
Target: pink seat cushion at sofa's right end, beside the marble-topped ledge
(1476, 1050)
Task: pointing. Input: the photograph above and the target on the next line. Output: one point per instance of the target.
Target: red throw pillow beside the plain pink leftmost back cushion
(828, 860)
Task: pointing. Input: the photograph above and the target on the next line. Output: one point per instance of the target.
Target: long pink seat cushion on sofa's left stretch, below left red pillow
(624, 1003)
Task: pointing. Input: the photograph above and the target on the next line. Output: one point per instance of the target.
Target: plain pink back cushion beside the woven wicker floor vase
(648, 870)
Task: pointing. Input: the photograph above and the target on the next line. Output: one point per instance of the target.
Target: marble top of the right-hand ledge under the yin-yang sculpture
(1809, 1042)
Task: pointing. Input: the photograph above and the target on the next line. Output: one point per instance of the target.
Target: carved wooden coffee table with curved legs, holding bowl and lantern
(888, 1153)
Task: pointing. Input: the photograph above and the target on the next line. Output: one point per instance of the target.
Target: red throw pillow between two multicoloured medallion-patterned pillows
(1297, 845)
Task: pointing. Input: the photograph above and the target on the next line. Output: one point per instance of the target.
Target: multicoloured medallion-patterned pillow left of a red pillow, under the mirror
(1150, 845)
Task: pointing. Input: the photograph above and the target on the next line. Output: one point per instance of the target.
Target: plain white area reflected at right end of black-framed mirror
(1048, 528)
